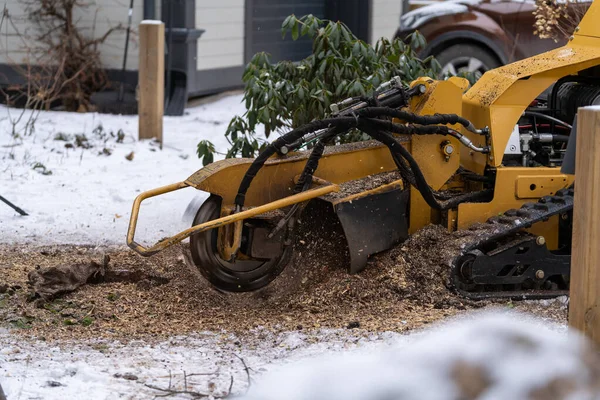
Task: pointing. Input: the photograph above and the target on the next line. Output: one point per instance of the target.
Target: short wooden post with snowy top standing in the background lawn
(151, 80)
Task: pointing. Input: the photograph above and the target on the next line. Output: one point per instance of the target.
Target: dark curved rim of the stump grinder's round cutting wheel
(239, 276)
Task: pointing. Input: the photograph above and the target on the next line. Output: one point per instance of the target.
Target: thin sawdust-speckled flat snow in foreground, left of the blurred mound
(87, 371)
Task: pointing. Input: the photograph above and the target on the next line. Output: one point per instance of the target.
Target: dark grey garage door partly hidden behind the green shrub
(263, 27)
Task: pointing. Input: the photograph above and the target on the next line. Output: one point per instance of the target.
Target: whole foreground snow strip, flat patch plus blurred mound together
(500, 355)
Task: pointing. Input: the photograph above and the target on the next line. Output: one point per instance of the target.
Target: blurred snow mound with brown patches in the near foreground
(494, 356)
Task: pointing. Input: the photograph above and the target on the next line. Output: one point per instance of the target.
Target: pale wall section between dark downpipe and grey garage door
(222, 45)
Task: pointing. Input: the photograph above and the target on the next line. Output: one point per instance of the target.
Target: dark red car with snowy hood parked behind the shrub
(476, 35)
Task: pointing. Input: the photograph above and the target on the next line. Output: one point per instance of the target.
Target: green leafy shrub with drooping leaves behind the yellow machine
(284, 95)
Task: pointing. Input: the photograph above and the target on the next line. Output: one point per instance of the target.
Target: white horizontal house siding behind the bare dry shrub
(94, 21)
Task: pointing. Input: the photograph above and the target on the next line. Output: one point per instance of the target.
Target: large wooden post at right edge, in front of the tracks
(584, 306)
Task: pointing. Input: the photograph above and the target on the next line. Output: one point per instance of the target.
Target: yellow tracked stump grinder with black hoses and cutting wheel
(495, 160)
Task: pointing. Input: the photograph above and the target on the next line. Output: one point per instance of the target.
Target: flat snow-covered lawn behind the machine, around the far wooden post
(88, 196)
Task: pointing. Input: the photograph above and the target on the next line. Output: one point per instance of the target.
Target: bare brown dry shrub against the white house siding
(63, 65)
